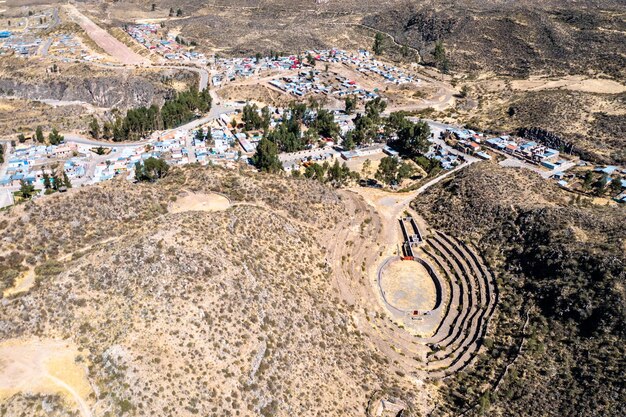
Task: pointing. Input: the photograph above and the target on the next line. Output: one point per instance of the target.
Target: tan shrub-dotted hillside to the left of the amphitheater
(178, 312)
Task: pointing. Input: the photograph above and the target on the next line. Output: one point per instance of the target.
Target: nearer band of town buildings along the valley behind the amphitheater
(225, 140)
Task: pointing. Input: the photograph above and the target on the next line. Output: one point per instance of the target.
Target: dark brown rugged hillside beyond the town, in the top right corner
(515, 39)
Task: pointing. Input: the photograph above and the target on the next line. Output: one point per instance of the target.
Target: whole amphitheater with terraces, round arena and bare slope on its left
(454, 292)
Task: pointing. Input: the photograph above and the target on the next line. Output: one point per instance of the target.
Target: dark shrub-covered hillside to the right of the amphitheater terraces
(560, 262)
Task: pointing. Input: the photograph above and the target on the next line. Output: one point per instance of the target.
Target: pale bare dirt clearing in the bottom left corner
(43, 367)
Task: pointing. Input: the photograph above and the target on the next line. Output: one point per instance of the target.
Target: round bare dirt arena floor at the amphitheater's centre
(408, 286)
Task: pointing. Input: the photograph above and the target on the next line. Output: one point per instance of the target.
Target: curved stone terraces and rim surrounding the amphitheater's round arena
(465, 293)
